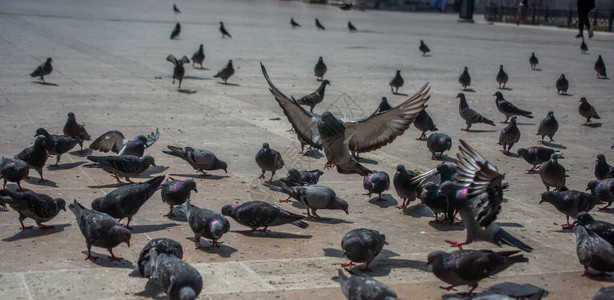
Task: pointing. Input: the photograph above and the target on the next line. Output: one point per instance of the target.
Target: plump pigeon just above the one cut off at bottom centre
(362, 245)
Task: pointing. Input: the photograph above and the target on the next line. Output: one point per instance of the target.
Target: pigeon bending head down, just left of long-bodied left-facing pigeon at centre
(206, 223)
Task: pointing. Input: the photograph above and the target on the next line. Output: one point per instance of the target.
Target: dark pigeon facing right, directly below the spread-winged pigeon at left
(122, 166)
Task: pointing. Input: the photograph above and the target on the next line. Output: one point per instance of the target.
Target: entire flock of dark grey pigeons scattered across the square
(471, 186)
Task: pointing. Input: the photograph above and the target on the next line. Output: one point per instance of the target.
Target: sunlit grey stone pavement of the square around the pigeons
(110, 70)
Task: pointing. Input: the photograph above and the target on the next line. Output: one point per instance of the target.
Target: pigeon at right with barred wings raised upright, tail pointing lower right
(477, 193)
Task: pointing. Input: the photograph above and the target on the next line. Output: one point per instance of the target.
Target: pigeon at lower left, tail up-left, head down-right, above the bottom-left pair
(100, 230)
